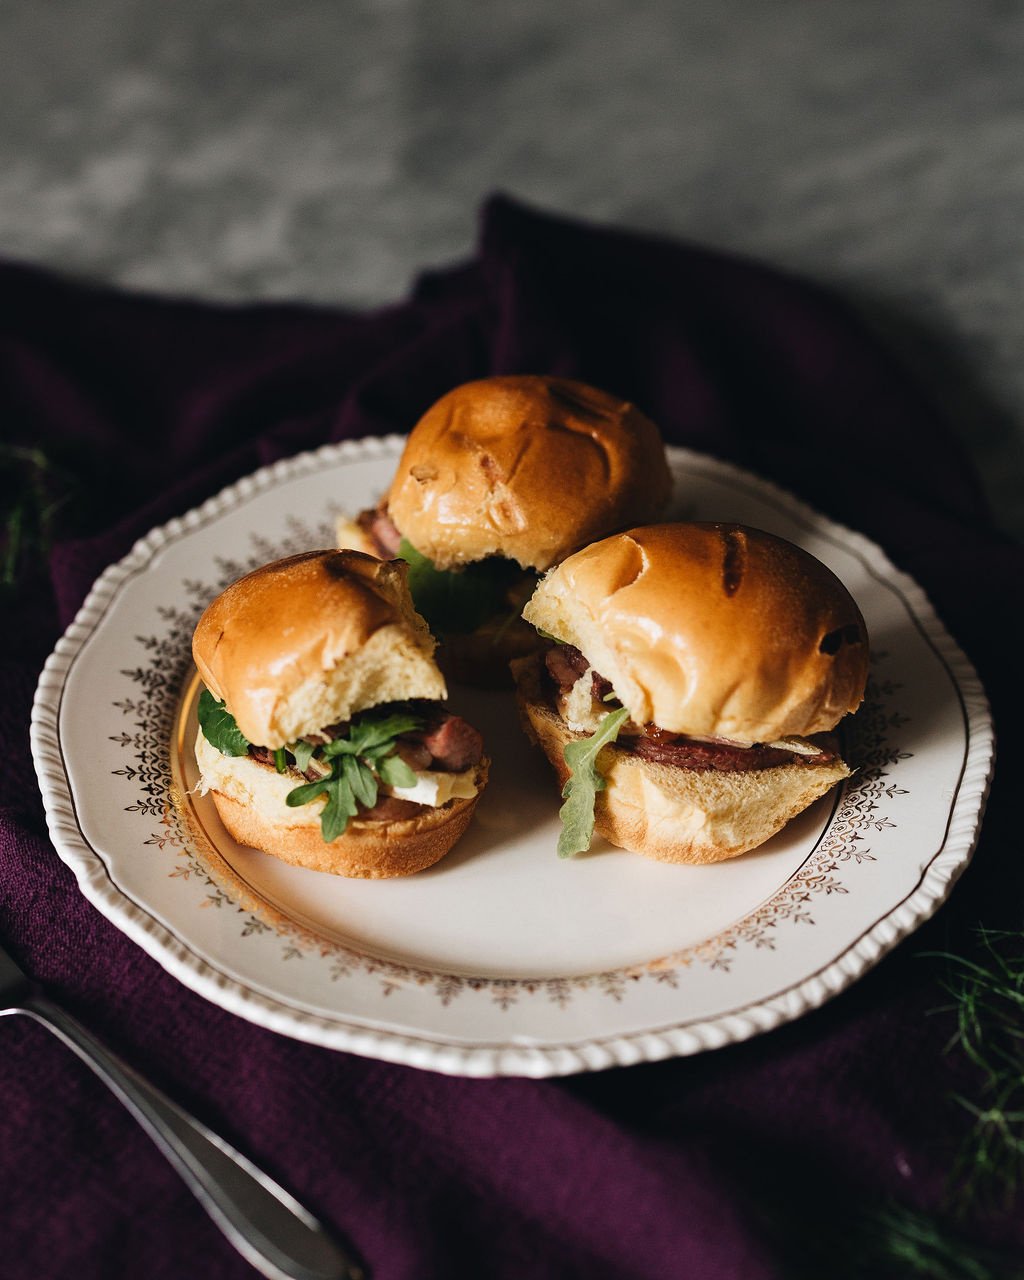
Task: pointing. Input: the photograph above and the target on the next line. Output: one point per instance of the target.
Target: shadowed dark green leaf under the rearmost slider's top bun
(456, 602)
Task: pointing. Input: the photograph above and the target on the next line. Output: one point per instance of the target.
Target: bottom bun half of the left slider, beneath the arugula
(250, 802)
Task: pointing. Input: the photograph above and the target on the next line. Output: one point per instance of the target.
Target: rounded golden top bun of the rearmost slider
(525, 468)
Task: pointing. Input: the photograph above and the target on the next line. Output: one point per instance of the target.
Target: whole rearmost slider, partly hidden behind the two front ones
(500, 481)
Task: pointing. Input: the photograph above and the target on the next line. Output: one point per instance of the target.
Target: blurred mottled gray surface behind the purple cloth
(328, 149)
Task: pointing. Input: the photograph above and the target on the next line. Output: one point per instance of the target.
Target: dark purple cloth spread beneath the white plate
(735, 1164)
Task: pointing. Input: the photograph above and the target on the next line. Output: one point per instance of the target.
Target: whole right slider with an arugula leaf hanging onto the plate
(688, 698)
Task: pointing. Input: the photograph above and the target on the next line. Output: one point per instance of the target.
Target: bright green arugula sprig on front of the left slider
(359, 764)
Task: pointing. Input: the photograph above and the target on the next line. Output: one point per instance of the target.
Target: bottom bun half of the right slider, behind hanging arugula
(676, 815)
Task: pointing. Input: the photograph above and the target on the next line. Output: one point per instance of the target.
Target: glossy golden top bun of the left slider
(313, 639)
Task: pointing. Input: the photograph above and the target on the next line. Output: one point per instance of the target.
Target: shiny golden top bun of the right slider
(712, 630)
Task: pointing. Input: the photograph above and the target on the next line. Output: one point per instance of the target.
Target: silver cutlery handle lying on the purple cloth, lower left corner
(268, 1227)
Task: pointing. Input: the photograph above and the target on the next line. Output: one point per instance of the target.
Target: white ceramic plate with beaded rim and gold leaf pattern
(501, 961)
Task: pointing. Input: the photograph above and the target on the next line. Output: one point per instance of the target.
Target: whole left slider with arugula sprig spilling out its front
(323, 737)
